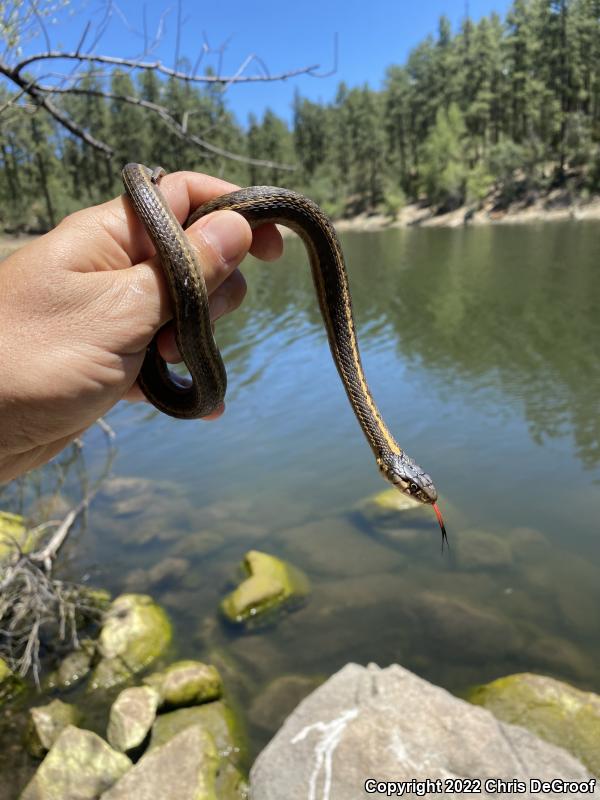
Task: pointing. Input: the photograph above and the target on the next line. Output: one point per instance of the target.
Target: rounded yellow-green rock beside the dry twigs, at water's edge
(135, 633)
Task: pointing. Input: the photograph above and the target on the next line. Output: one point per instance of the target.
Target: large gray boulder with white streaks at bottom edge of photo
(389, 726)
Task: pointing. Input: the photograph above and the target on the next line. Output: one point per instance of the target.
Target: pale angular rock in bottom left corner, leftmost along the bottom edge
(79, 766)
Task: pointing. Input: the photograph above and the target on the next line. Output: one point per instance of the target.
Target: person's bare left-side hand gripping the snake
(79, 306)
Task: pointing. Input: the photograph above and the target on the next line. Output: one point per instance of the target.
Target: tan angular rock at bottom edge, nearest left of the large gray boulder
(184, 768)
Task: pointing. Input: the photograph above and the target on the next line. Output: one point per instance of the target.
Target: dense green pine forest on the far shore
(511, 106)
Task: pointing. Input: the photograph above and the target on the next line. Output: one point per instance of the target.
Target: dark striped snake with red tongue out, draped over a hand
(190, 399)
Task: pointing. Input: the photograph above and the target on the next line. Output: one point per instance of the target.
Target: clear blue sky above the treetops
(284, 35)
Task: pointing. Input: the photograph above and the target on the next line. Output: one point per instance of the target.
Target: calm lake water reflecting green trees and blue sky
(482, 349)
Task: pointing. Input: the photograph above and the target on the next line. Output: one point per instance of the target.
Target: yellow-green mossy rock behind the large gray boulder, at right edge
(553, 710)
